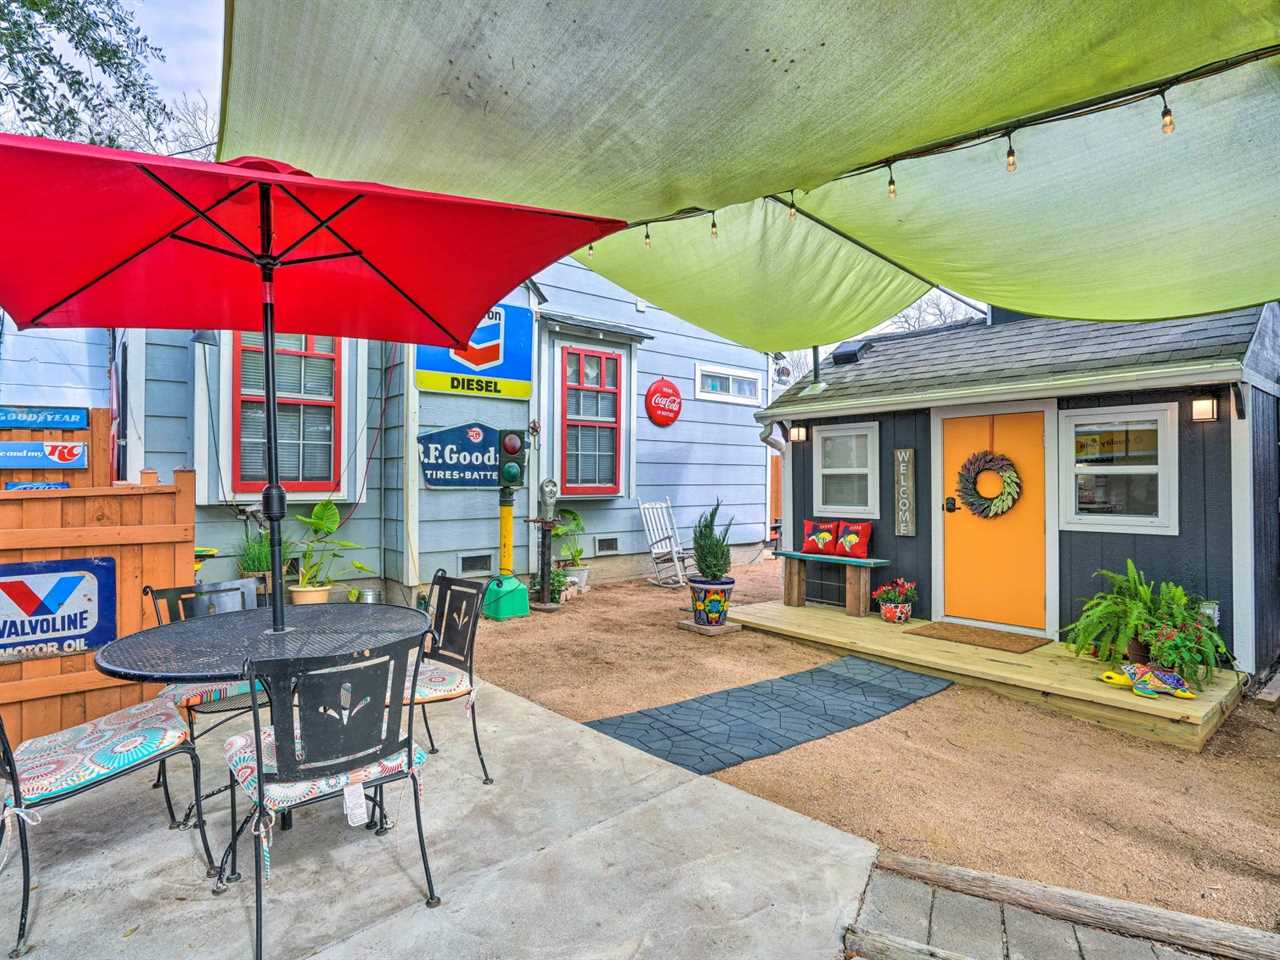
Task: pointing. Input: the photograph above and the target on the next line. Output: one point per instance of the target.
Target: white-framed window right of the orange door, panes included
(1119, 469)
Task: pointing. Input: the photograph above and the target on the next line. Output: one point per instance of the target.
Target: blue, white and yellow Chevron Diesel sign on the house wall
(497, 363)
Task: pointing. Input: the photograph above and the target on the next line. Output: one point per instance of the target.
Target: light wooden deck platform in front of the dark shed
(1050, 676)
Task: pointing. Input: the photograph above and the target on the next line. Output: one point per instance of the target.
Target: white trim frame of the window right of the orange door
(1165, 523)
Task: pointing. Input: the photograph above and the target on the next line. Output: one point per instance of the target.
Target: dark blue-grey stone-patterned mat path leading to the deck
(712, 733)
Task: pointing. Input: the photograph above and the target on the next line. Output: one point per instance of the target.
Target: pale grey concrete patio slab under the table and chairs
(584, 848)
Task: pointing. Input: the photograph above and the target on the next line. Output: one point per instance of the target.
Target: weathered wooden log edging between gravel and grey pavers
(1118, 916)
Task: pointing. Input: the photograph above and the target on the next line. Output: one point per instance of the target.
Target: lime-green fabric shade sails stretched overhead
(642, 111)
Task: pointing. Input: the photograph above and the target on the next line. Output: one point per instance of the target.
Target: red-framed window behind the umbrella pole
(309, 422)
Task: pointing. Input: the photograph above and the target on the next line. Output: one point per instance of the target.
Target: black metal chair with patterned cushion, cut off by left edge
(48, 770)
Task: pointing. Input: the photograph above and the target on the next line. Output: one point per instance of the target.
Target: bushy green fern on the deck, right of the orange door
(1114, 623)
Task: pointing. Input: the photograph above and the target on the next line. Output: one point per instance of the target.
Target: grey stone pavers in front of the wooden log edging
(985, 930)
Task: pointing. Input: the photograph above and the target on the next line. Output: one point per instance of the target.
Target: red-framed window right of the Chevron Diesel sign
(591, 422)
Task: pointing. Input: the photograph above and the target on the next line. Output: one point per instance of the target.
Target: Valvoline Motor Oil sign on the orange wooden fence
(57, 609)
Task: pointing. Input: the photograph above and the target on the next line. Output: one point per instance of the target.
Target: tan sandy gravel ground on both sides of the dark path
(964, 778)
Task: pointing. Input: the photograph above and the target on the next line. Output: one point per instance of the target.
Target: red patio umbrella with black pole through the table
(98, 237)
